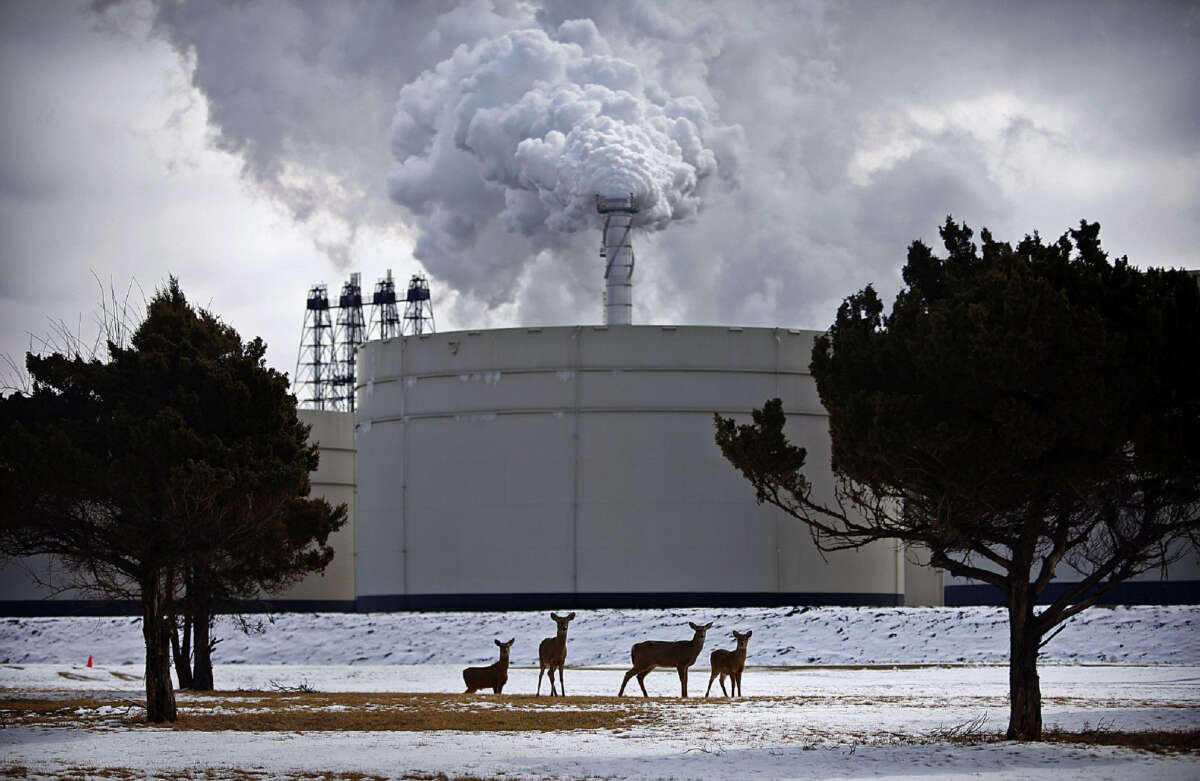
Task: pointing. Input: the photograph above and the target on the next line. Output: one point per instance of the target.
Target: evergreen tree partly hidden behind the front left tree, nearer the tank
(250, 528)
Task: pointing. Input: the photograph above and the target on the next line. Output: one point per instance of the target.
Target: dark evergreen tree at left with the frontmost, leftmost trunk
(136, 471)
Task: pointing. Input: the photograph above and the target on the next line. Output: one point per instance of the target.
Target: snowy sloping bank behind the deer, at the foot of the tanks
(1144, 635)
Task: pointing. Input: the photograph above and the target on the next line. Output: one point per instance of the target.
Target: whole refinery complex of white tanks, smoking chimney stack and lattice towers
(553, 468)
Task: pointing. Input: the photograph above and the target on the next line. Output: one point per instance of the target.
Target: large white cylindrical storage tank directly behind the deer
(575, 467)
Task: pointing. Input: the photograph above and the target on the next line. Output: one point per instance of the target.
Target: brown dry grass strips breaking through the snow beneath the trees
(389, 712)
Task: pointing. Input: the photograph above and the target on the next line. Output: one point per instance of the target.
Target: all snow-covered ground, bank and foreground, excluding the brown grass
(910, 675)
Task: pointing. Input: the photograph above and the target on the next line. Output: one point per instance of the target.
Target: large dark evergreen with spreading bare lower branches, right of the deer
(1019, 410)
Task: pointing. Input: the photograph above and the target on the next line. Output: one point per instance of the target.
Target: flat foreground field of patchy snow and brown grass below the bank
(913, 722)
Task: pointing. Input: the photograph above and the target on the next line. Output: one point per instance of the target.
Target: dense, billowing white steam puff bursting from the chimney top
(537, 125)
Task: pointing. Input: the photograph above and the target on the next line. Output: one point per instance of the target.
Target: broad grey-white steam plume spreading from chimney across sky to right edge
(805, 142)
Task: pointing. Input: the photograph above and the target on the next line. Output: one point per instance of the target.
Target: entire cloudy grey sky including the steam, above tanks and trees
(789, 153)
